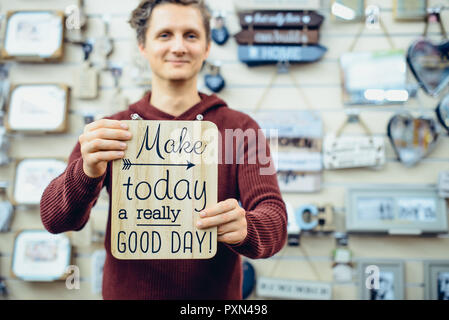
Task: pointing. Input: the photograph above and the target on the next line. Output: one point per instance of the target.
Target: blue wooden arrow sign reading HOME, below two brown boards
(264, 54)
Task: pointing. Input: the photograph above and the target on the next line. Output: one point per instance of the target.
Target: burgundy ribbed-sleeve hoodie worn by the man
(67, 201)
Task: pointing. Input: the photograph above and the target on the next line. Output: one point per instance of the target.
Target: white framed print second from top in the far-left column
(38, 108)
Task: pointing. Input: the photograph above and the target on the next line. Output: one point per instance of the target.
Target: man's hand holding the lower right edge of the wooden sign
(230, 219)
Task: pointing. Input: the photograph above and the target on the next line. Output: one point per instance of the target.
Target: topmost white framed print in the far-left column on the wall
(35, 36)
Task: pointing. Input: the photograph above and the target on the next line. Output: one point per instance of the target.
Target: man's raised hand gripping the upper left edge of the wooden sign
(101, 142)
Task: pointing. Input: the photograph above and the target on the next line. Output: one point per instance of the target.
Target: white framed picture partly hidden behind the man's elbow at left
(32, 177)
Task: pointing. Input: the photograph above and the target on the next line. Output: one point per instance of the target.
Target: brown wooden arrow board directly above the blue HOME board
(277, 36)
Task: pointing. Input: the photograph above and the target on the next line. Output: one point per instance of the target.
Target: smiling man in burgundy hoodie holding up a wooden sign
(174, 36)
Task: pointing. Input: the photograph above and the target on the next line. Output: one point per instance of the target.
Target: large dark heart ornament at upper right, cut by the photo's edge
(430, 65)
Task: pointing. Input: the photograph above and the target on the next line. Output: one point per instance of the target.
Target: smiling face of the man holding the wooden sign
(175, 44)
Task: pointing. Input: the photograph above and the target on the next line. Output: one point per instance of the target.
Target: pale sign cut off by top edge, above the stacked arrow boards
(277, 4)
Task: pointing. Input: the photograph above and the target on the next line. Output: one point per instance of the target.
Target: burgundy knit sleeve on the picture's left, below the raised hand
(66, 202)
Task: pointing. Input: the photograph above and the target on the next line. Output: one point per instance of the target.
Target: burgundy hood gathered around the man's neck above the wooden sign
(197, 112)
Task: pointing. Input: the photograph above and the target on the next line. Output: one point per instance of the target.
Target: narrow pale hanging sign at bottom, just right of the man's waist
(293, 289)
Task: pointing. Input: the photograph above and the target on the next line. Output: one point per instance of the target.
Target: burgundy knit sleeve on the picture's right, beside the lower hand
(260, 196)
